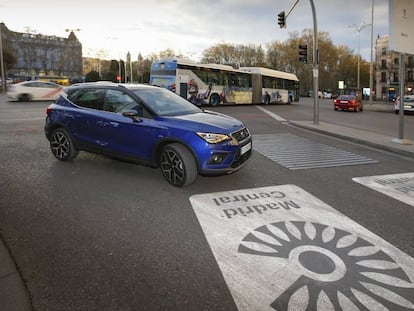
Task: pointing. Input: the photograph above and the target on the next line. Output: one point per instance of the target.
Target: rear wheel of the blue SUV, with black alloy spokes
(61, 145)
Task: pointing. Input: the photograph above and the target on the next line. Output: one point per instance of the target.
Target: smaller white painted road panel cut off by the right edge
(397, 186)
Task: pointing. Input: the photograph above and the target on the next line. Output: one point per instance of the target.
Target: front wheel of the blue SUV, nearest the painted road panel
(178, 165)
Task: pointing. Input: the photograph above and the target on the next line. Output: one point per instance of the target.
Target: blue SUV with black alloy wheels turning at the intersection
(147, 125)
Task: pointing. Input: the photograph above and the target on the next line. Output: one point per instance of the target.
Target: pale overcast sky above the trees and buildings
(189, 27)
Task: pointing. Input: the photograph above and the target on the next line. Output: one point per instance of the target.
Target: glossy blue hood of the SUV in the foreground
(206, 121)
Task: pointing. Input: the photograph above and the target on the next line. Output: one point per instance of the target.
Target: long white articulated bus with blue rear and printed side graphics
(214, 84)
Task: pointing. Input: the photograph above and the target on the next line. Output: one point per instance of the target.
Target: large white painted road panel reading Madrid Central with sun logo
(280, 248)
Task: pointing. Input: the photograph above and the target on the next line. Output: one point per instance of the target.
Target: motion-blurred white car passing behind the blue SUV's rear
(34, 90)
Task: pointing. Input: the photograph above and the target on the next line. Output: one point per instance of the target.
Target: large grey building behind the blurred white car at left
(40, 55)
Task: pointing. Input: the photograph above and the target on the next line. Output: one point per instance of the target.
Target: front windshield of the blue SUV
(166, 103)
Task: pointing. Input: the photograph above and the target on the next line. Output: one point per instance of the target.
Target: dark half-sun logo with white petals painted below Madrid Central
(338, 270)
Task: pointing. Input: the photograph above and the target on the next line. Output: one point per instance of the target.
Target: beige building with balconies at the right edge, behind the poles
(387, 70)
